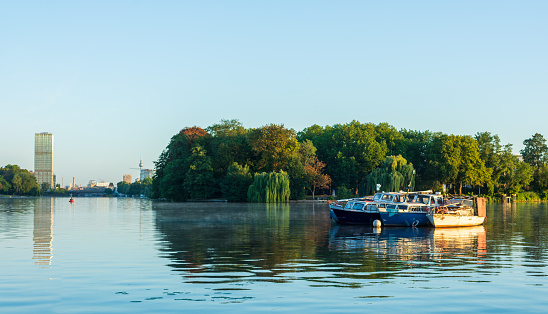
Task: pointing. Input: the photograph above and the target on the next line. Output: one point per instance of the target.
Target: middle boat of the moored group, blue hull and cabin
(411, 211)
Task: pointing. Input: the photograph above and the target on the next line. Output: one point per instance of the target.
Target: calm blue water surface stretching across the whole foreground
(130, 255)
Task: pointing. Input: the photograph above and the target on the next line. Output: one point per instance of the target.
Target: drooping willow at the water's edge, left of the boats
(272, 187)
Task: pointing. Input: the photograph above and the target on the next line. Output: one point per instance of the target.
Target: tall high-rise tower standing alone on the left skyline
(43, 158)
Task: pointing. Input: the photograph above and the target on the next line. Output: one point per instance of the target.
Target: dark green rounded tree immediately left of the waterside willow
(235, 184)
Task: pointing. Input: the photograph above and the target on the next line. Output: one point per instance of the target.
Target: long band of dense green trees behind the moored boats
(228, 161)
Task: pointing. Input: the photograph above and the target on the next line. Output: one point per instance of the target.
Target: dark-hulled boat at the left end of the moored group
(361, 210)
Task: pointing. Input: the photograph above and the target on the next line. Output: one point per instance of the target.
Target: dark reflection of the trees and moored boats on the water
(281, 242)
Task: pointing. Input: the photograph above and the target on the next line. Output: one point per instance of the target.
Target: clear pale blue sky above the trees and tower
(115, 80)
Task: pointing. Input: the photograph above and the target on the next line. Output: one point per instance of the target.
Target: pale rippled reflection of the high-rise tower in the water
(43, 232)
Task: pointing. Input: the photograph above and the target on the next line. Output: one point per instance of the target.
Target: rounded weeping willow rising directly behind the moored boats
(393, 175)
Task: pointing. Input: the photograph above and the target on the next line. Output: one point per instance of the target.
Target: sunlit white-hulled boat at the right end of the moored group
(459, 211)
